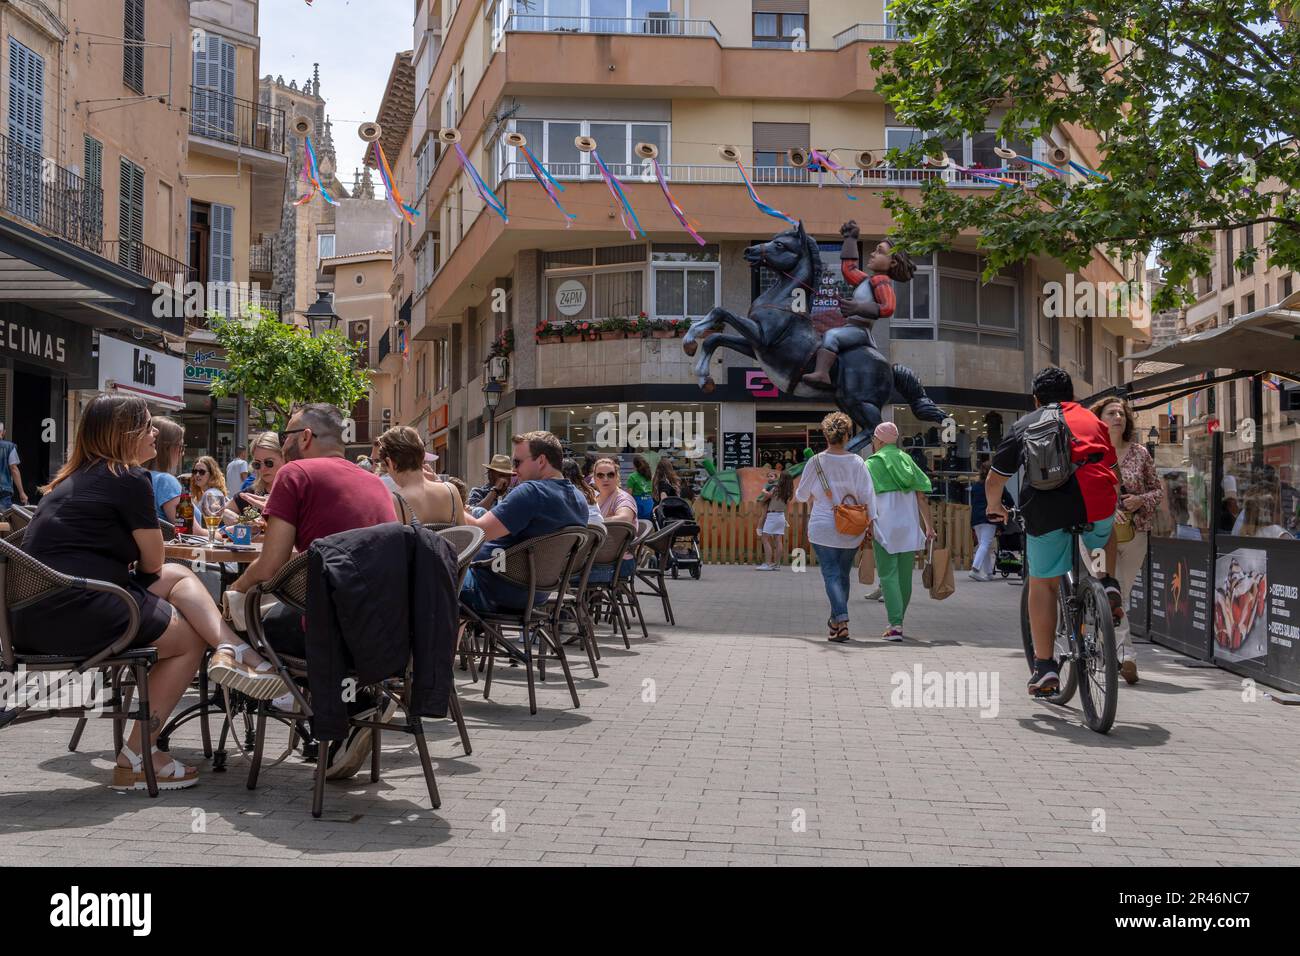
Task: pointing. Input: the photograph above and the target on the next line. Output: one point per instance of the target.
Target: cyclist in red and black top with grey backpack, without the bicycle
(1090, 495)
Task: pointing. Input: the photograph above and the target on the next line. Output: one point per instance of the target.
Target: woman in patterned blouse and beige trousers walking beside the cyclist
(1141, 494)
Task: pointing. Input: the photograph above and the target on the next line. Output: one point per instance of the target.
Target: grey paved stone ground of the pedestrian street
(762, 745)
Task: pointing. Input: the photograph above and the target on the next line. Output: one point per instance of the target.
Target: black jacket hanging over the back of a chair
(376, 599)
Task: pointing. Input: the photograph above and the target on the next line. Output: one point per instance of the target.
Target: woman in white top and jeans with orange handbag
(838, 485)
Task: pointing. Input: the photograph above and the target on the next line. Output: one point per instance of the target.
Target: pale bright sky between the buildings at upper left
(354, 42)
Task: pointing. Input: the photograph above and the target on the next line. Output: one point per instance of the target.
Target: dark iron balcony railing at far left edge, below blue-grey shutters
(50, 197)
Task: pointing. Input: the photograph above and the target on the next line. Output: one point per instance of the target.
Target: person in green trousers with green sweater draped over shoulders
(900, 521)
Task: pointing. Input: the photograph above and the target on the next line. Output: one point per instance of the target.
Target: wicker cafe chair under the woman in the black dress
(24, 581)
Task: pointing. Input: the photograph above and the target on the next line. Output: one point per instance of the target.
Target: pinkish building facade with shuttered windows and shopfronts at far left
(93, 211)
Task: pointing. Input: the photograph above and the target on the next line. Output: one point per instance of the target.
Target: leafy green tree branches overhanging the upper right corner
(1162, 84)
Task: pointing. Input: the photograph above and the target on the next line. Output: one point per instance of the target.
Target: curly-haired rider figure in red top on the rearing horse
(873, 299)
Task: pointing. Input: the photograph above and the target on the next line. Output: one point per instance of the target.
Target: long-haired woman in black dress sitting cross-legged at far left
(97, 521)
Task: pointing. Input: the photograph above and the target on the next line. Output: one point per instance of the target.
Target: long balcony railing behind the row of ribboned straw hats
(773, 176)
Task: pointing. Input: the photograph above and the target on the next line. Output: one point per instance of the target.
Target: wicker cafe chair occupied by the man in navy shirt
(536, 566)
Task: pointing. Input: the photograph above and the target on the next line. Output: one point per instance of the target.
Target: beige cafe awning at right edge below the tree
(1267, 341)
